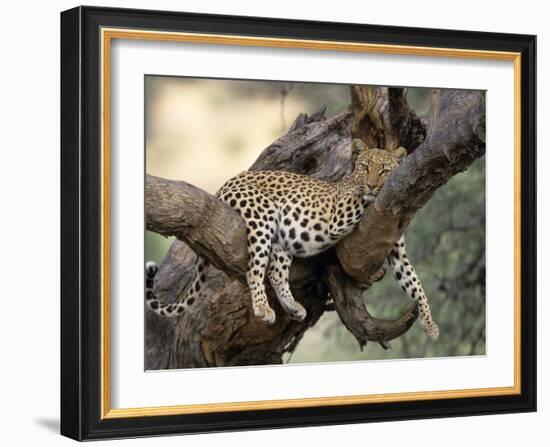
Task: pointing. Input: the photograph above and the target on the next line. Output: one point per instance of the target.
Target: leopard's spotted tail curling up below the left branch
(173, 309)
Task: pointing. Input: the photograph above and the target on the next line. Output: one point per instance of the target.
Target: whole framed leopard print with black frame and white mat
(274, 223)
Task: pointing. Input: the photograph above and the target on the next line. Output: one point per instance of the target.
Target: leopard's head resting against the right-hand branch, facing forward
(372, 166)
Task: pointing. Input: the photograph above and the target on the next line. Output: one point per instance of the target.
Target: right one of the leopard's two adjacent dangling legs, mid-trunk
(279, 267)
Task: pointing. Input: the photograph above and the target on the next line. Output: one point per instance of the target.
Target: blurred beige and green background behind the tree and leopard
(205, 131)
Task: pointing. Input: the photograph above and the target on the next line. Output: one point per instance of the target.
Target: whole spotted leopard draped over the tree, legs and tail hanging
(289, 215)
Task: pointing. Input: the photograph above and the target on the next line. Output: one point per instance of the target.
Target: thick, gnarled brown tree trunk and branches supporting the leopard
(221, 328)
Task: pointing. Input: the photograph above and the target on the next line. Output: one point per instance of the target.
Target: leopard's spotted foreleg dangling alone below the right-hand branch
(410, 283)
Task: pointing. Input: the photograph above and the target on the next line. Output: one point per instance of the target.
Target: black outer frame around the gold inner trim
(81, 208)
